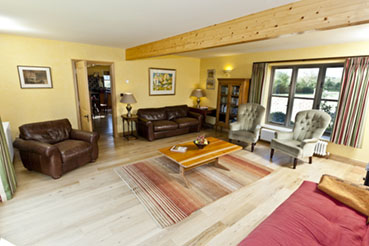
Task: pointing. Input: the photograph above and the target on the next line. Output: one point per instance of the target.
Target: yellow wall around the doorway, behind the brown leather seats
(21, 106)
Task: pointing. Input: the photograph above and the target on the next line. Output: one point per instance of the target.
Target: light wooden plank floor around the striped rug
(92, 206)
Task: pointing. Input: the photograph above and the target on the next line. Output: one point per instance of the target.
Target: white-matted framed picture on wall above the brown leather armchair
(35, 77)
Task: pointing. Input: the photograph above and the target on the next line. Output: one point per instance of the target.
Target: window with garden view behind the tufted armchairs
(302, 87)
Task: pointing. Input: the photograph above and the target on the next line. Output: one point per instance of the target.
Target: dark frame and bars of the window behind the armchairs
(292, 90)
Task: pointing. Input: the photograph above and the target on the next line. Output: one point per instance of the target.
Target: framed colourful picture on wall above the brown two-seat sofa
(162, 81)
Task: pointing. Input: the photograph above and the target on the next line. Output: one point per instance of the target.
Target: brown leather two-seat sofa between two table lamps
(154, 123)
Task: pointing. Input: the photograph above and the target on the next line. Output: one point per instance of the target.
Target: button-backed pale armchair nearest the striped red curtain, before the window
(300, 143)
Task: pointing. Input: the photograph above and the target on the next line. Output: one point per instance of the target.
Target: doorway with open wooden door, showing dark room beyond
(96, 97)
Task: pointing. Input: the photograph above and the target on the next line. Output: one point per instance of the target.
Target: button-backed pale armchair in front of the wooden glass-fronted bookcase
(247, 127)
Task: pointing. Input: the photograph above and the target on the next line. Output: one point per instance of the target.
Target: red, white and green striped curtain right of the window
(351, 110)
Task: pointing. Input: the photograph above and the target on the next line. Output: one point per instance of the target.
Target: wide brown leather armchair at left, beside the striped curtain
(54, 148)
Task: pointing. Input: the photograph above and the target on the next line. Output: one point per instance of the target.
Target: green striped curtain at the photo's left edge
(7, 173)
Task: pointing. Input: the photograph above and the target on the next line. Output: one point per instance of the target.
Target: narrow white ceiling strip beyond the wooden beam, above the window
(308, 39)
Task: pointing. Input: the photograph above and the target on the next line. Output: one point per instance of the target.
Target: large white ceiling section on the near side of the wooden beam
(120, 23)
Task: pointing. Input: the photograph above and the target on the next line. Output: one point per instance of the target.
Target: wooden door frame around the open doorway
(112, 89)
